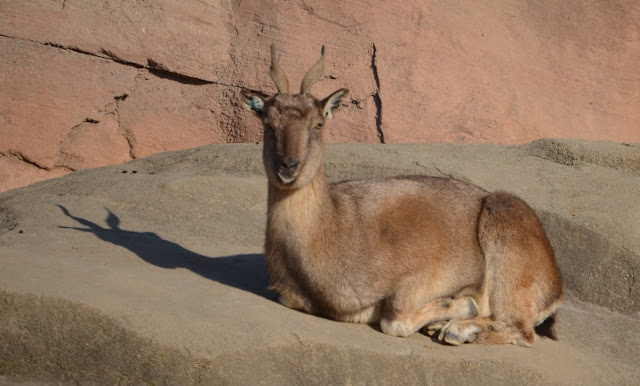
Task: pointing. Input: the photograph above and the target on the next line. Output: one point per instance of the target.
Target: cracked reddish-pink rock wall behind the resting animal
(84, 84)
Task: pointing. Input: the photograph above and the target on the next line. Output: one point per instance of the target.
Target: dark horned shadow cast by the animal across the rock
(246, 272)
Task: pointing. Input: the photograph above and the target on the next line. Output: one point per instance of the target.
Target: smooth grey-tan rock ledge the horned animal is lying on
(152, 272)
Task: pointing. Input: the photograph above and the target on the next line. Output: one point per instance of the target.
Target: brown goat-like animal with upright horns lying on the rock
(406, 252)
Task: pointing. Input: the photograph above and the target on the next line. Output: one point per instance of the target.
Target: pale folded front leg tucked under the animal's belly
(399, 323)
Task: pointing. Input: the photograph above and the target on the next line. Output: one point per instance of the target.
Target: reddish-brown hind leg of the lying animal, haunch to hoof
(520, 274)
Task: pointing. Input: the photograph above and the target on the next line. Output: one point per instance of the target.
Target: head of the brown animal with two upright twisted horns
(293, 125)
